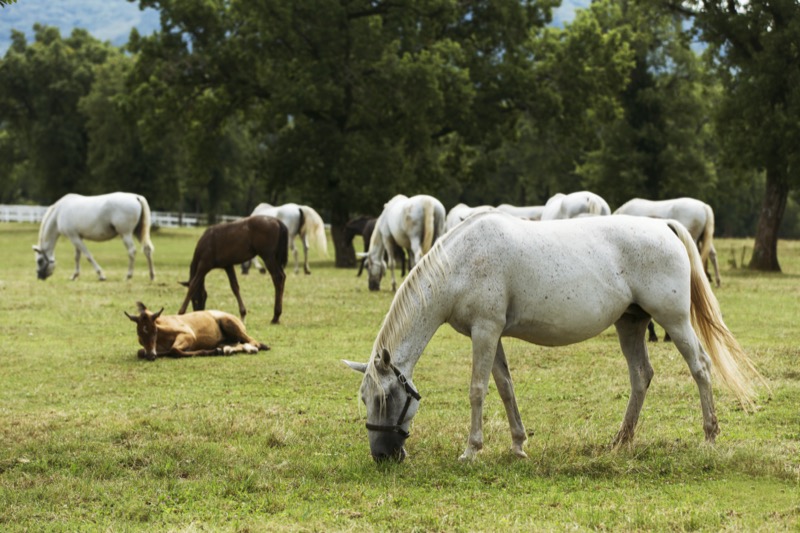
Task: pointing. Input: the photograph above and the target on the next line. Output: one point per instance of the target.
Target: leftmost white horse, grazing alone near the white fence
(96, 218)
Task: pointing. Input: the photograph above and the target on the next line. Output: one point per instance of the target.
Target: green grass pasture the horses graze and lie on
(92, 438)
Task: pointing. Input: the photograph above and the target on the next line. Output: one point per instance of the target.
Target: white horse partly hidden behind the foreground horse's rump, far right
(697, 216)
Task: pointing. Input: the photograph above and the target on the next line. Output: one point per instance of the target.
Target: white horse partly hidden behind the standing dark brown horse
(301, 220)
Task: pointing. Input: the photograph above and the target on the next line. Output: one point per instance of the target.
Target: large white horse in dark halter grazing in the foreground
(549, 283)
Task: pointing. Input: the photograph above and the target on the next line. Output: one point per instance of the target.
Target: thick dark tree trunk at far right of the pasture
(765, 250)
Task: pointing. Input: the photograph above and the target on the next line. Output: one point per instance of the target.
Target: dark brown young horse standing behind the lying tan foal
(232, 243)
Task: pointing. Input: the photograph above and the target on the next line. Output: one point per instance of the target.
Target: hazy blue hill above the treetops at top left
(106, 20)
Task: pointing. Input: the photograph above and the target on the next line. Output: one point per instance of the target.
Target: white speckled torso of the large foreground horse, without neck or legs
(563, 281)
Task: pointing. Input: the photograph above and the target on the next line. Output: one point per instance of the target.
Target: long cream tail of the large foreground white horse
(732, 364)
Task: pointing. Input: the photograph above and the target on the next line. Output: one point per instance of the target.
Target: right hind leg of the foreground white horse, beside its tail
(685, 339)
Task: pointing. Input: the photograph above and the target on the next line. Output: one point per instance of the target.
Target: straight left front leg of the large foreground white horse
(484, 346)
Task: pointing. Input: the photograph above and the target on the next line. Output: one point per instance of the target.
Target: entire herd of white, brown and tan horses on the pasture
(551, 275)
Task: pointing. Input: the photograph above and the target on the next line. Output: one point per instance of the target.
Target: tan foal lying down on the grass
(198, 333)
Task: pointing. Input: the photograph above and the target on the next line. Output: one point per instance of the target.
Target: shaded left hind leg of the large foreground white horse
(630, 330)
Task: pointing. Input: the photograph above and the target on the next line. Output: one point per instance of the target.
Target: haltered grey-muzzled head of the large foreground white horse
(391, 401)
